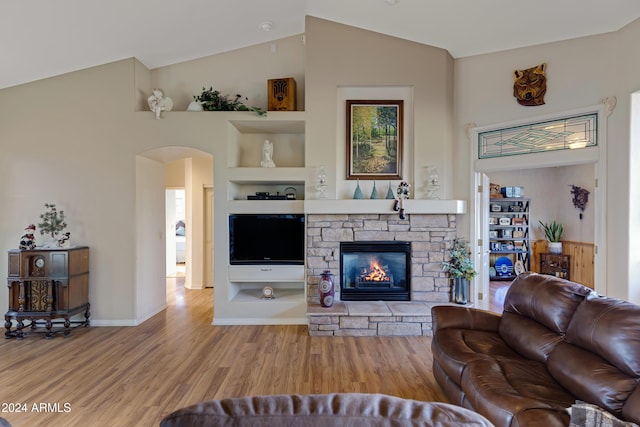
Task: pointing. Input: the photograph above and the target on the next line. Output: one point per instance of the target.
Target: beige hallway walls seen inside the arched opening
(151, 234)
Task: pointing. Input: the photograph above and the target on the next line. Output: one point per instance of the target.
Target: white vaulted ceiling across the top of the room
(43, 38)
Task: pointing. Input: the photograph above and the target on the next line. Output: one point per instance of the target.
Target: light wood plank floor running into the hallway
(133, 376)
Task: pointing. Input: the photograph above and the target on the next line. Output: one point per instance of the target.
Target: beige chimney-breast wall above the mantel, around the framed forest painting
(343, 61)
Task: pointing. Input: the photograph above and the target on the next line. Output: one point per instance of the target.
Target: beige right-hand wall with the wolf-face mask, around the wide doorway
(580, 73)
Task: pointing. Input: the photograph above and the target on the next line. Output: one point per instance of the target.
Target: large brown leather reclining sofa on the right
(556, 342)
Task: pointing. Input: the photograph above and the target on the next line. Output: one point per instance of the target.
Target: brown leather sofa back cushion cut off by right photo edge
(600, 360)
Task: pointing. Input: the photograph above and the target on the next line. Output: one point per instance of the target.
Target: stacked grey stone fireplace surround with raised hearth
(429, 235)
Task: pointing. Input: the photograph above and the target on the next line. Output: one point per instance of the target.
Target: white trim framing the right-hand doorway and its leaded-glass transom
(480, 193)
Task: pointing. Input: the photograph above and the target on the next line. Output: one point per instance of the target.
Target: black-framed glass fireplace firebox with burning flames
(375, 271)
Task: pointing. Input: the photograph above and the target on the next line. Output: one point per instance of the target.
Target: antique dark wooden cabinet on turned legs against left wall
(47, 284)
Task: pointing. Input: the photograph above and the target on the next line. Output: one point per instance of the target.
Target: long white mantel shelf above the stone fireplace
(384, 206)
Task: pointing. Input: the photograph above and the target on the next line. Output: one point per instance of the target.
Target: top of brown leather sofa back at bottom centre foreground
(323, 410)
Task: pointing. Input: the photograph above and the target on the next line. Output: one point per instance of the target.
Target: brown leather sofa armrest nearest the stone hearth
(447, 316)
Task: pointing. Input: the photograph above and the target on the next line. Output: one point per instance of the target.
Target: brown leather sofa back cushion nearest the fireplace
(537, 312)
